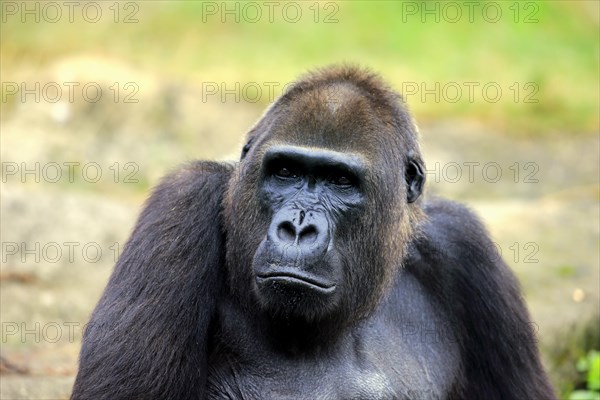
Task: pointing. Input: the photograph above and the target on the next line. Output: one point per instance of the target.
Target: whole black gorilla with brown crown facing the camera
(311, 269)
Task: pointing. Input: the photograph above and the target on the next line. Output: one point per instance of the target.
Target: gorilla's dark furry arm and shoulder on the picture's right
(460, 267)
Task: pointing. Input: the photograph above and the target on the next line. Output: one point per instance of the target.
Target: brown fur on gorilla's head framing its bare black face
(350, 111)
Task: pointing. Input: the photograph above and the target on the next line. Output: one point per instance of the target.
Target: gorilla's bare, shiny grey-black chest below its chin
(405, 351)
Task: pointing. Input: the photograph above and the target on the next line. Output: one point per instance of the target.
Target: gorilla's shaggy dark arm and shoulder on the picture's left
(147, 337)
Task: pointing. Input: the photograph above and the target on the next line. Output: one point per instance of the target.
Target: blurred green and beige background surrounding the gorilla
(100, 99)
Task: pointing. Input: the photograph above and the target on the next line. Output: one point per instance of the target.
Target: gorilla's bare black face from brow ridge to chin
(311, 195)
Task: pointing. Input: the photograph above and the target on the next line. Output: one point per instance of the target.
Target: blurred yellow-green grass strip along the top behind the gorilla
(559, 53)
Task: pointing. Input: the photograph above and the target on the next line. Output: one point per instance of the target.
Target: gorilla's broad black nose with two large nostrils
(305, 229)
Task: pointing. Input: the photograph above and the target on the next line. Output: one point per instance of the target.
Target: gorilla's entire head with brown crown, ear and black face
(324, 200)
